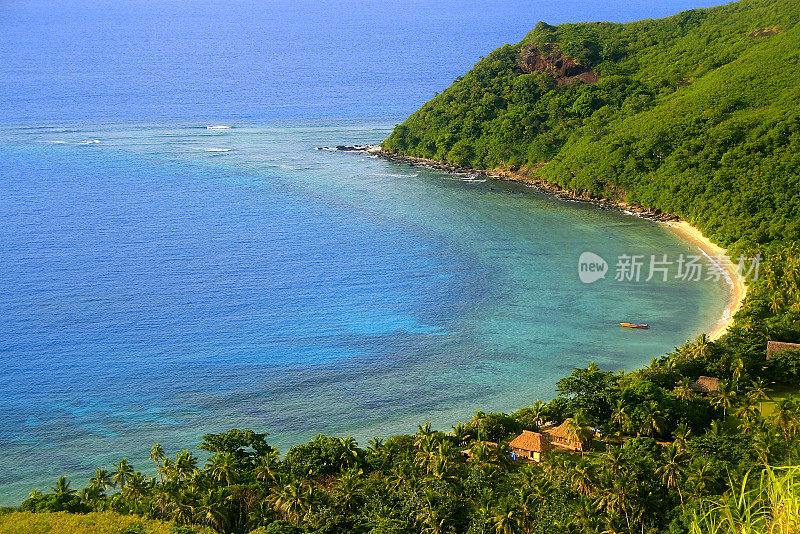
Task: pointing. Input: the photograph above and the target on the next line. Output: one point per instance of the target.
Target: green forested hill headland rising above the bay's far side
(697, 114)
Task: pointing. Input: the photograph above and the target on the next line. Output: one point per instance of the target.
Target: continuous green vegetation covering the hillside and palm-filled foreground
(696, 114)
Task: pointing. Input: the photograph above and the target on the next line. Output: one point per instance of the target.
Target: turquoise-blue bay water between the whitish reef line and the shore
(163, 282)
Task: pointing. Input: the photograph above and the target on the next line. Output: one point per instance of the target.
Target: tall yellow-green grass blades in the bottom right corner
(771, 506)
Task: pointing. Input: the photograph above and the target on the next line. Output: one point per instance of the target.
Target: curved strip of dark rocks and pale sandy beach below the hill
(713, 252)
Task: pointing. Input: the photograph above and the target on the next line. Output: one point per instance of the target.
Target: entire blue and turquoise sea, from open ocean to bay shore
(160, 279)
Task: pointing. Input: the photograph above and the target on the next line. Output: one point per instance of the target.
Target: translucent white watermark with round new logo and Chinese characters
(662, 268)
